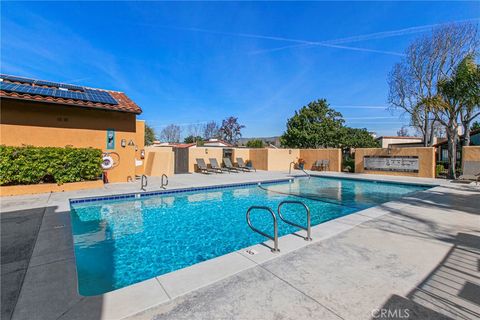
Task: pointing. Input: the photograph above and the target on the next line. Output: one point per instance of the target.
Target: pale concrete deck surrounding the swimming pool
(420, 253)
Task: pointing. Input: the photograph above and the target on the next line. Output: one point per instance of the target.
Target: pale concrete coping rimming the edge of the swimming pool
(138, 297)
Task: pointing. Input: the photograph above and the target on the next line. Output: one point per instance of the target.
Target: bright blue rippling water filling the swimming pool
(121, 242)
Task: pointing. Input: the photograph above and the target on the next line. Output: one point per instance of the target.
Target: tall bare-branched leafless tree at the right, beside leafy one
(414, 80)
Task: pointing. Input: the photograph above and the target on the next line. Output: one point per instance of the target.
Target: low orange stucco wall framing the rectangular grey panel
(426, 158)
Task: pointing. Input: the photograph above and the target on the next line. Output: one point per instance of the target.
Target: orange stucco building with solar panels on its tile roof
(44, 113)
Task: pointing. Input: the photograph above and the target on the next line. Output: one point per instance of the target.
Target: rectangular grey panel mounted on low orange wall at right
(391, 163)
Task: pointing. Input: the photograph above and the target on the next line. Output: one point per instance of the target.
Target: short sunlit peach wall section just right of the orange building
(159, 161)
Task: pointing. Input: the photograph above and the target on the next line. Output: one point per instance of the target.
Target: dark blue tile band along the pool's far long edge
(179, 190)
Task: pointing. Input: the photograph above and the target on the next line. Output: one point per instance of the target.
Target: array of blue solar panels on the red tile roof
(89, 95)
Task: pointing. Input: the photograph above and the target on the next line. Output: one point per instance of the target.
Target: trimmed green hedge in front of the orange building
(32, 165)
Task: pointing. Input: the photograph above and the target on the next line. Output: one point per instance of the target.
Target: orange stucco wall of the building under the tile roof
(52, 125)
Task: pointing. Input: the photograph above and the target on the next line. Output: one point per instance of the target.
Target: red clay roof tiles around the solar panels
(124, 103)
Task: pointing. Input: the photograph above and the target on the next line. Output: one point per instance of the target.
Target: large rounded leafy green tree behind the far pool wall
(314, 126)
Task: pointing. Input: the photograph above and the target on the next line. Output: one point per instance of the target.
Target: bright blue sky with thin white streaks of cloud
(189, 63)
